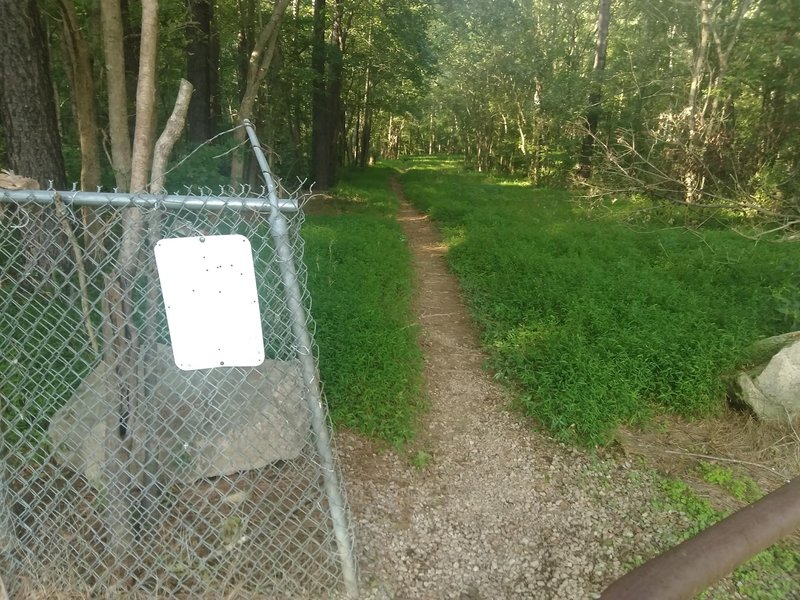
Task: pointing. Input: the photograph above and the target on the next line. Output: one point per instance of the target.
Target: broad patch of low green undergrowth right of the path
(593, 323)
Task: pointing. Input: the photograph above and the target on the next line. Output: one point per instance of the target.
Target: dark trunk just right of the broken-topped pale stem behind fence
(199, 69)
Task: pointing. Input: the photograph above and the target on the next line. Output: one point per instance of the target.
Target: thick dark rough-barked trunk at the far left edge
(27, 106)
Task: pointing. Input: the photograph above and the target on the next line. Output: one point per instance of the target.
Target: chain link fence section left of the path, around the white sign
(126, 476)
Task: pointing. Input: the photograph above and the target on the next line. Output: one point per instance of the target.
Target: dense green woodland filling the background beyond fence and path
(692, 101)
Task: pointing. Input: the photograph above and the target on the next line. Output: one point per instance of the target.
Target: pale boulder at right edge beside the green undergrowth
(774, 392)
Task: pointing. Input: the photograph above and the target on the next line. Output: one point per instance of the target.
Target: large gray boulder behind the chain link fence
(196, 424)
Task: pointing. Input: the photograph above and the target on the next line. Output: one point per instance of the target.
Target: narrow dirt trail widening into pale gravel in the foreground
(499, 511)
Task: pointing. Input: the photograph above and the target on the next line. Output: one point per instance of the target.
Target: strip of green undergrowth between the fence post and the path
(361, 285)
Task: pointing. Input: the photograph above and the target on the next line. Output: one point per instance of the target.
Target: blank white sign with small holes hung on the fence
(209, 289)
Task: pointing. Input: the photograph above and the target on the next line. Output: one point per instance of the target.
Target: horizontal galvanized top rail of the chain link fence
(204, 198)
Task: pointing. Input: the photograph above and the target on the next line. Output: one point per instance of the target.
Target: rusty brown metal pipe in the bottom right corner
(689, 568)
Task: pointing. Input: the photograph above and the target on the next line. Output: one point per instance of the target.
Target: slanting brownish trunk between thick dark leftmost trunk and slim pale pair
(79, 70)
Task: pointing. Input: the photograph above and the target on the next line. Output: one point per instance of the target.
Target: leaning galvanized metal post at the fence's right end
(280, 233)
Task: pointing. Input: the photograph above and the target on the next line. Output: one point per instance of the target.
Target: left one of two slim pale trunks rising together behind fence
(111, 18)
